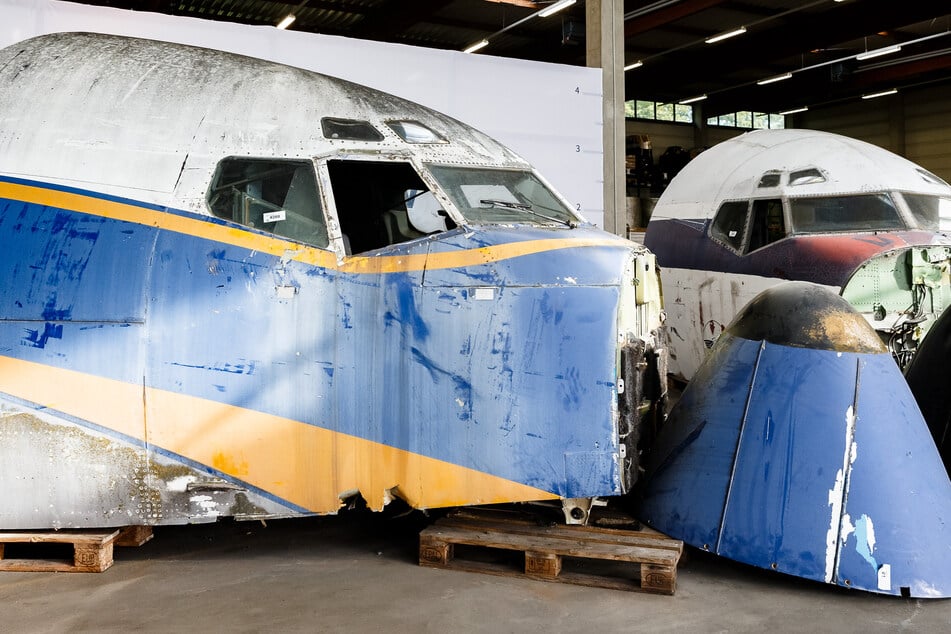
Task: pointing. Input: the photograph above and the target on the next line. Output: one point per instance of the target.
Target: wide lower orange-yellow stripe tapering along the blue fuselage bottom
(308, 466)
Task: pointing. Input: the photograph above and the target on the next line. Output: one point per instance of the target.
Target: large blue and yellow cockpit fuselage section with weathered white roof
(161, 365)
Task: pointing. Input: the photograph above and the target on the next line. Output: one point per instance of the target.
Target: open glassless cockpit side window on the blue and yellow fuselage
(383, 203)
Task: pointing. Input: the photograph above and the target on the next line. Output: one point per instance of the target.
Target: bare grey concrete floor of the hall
(357, 572)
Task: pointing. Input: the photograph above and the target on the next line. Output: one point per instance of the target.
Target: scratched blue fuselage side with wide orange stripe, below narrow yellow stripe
(517, 389)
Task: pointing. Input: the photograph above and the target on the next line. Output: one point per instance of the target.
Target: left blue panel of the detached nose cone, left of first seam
(691, 463)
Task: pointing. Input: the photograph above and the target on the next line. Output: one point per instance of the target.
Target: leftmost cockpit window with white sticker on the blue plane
(273, 195)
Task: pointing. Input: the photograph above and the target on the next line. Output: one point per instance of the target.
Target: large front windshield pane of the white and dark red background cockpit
(860, 212)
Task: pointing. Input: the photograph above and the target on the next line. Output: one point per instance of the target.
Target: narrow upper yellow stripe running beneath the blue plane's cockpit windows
(126, 212)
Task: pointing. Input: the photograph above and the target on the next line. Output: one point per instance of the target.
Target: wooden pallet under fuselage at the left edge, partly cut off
(92, 550)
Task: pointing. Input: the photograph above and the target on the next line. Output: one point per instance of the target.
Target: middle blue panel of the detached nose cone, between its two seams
(793, 445)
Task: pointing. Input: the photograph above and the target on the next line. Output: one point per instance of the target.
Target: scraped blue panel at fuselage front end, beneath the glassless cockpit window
(507, 386)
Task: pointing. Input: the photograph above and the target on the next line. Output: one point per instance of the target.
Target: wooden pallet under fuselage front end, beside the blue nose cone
(647, 559)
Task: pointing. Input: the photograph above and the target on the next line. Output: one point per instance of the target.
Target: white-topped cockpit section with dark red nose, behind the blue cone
(897, 277)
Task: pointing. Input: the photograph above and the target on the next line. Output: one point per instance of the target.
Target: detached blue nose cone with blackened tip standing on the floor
(799, 448)
